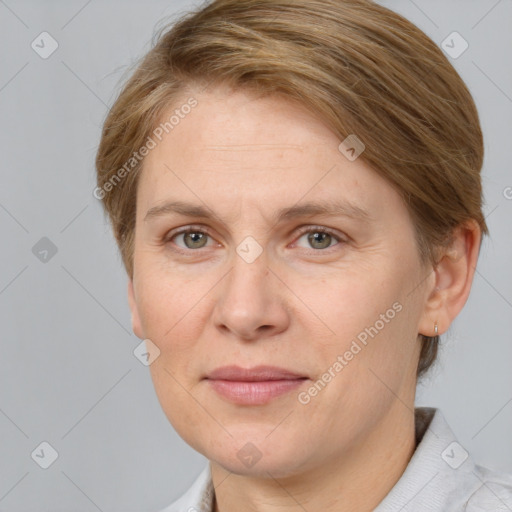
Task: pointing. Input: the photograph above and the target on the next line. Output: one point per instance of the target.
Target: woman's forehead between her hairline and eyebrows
(234, 147)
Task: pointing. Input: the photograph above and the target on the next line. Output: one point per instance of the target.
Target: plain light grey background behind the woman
(68, 375)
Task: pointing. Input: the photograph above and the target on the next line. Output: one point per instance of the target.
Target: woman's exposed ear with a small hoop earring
(453, 276)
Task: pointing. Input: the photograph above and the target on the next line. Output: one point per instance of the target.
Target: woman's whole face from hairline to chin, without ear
(283, 253)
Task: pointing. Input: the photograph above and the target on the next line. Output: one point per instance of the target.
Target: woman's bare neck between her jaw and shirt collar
(356, 480)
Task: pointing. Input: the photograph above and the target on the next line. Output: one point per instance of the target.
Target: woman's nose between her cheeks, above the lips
(251, 301)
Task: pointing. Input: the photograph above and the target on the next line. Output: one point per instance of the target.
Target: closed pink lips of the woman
(253, 386)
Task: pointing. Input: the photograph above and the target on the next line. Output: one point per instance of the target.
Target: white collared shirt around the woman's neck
(440, 477)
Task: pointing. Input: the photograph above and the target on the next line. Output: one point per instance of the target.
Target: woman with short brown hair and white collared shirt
(295, 190)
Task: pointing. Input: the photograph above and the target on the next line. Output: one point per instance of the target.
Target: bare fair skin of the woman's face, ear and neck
(298, 305)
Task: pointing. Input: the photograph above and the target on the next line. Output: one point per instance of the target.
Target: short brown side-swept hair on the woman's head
(360, 67)
